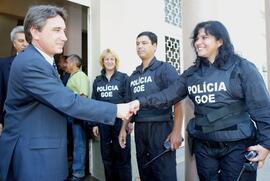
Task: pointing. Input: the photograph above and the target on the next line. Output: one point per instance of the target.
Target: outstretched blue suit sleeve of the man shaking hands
(47, 88)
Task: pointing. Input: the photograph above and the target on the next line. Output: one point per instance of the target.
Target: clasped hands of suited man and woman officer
(126, 110)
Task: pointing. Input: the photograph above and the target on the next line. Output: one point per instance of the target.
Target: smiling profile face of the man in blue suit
(51, 39)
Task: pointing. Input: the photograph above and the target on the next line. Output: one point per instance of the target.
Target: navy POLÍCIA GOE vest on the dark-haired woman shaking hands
(219, 115)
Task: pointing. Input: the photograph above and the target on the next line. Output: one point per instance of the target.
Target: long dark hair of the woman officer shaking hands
(218, 30)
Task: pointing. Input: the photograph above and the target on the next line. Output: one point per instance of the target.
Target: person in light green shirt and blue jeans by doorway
(78, 82)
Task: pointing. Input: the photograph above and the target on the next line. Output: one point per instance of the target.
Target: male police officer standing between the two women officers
(155, 126)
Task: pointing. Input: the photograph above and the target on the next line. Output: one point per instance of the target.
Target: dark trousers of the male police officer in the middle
(149, 138)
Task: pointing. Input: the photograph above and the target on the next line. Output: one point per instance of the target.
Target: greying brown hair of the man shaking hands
(36, 17)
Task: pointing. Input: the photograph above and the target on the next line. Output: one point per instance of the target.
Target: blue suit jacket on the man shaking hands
(33, 145)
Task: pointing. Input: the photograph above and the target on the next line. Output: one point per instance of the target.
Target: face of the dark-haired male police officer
(145, 48)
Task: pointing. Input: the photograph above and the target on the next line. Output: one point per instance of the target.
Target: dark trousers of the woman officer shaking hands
(222, 162)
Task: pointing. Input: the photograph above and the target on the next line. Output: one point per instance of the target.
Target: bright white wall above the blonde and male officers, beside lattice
(121, 21)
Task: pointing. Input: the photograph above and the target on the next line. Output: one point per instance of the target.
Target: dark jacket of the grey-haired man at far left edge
(5, 64)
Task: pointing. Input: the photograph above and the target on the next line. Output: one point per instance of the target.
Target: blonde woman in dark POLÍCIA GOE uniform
(112, 86)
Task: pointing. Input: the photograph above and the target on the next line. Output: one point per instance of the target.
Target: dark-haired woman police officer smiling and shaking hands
(228, 93)
